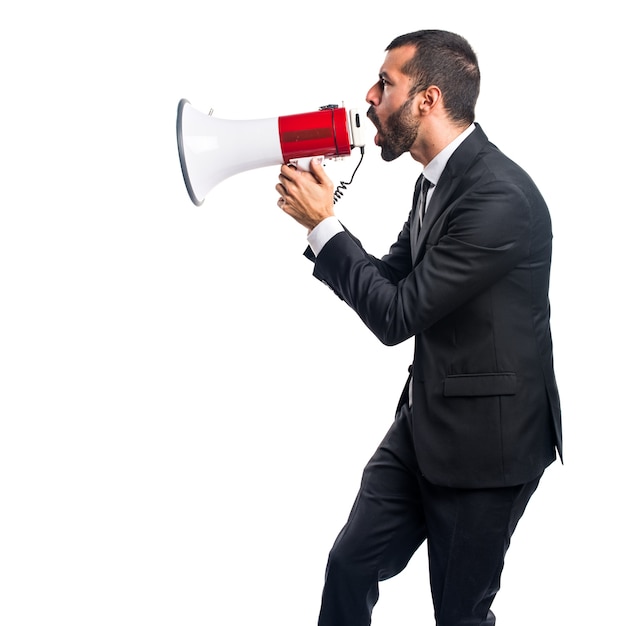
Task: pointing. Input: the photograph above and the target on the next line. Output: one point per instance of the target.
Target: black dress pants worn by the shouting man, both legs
(467, 532)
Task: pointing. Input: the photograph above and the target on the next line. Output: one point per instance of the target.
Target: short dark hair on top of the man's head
(447, 61)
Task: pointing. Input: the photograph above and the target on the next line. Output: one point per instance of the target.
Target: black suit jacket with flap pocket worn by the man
(485, 409)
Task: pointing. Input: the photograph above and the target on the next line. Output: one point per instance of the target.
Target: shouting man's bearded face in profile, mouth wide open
(391, 109)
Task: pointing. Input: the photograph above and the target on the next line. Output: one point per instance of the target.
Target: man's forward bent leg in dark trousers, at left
(385, 527)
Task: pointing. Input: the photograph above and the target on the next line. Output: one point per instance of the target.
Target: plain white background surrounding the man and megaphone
(185, 412)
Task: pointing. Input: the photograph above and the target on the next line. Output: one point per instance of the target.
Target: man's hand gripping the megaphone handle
(306, 196)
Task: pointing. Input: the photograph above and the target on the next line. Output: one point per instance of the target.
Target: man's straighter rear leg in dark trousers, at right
(469, 532)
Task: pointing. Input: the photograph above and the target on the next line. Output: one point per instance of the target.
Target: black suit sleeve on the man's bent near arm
(483, 236)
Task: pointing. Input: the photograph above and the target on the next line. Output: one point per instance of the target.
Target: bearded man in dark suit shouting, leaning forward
(479, 419)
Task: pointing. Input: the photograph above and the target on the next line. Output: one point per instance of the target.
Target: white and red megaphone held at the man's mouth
(212, 149)
